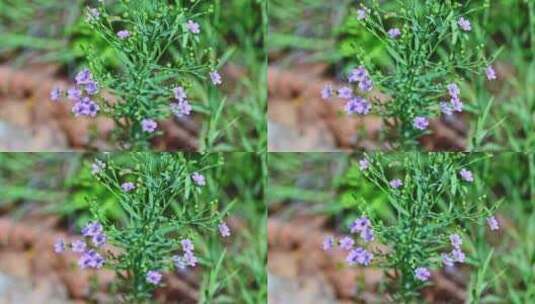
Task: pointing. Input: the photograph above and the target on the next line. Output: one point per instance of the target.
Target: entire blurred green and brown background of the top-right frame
(309, 46)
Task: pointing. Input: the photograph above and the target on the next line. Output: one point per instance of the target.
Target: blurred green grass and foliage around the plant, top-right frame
(502, 113)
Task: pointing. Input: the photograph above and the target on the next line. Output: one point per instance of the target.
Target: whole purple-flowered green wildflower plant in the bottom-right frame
(431, 208)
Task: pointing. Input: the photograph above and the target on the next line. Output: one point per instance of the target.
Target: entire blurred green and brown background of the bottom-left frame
(44, 196)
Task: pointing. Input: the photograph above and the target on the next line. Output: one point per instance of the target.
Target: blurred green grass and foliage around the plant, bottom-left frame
(62, 183)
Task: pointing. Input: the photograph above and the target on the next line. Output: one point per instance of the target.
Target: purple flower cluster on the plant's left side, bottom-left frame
(89, 257)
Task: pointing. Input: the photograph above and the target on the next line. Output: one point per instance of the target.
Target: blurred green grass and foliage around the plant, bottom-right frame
(331, 184)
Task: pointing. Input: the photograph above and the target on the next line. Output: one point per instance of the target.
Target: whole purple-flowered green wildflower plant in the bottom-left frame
(166, 213)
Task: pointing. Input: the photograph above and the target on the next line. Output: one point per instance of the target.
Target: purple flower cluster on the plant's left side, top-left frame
(80, 95)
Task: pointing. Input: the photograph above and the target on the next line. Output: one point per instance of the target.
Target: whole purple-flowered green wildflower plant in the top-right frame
(431, 50)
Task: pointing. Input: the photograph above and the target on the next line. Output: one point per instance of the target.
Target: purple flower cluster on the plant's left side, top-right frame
(354, 104)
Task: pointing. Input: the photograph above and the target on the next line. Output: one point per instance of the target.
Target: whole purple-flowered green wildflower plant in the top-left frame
(162, 65)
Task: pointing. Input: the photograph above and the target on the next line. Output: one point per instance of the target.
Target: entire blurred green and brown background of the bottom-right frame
(312, 195)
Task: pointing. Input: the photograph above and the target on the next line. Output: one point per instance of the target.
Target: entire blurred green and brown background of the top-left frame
(42, 43)
